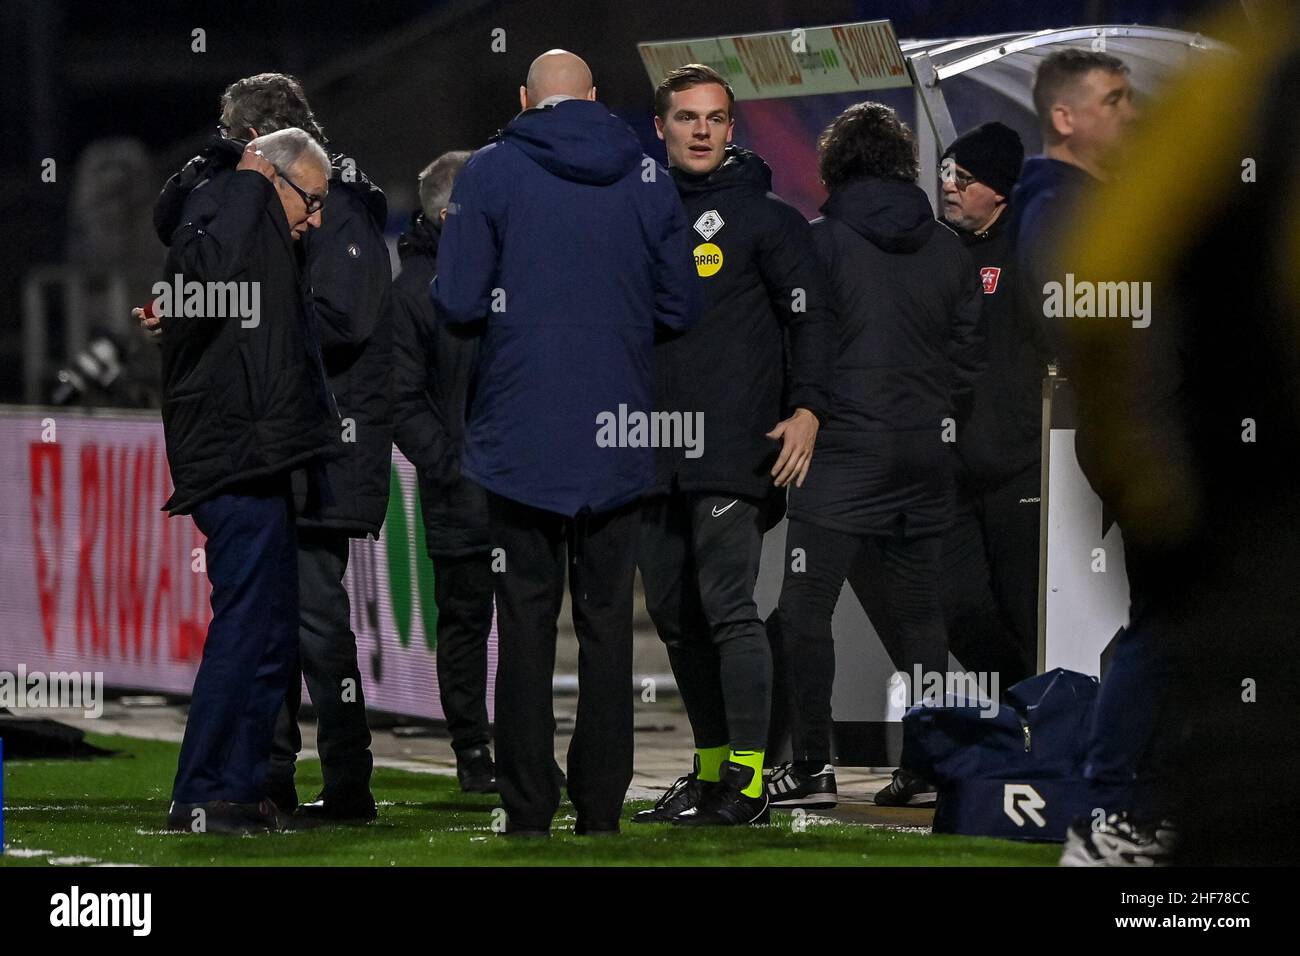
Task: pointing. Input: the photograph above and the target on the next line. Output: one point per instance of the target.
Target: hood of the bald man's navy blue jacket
(577, 140)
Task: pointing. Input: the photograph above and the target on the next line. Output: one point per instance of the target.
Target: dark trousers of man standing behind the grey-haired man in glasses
(327, 651)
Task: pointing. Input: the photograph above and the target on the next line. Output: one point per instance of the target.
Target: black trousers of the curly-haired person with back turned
(898, 582)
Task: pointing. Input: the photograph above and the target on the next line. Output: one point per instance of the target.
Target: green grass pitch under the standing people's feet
(114, 810)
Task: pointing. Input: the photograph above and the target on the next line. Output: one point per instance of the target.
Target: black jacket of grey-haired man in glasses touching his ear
(239, 403)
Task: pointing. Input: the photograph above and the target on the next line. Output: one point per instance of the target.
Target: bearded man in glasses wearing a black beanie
(991, 556)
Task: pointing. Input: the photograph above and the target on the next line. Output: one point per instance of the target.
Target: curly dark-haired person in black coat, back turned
(877, 505)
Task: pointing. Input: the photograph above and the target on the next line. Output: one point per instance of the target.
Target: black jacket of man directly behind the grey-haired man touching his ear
(352, 279)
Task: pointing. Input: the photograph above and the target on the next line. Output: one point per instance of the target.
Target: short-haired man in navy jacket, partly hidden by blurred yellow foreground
(1085, 106)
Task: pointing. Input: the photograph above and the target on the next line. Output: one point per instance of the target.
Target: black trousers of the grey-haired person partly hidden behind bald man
(463, 589)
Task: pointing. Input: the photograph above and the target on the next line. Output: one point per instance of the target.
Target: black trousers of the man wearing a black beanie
(991, 578)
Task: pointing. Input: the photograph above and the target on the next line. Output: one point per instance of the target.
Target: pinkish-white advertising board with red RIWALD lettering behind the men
(96, 578)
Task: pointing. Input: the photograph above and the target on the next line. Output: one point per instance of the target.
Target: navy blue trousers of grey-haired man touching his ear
(252, 648)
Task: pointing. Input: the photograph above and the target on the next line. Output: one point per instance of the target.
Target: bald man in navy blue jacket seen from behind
(569, 245)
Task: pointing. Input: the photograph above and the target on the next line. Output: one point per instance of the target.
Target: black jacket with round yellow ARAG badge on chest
(765, 288)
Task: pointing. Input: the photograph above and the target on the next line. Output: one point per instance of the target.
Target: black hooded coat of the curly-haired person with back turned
(908, 306)
